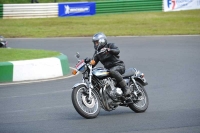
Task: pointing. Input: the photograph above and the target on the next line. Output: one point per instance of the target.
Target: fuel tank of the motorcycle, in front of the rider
(100, 72)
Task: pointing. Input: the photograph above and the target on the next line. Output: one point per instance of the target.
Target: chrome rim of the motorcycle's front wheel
(88, 106)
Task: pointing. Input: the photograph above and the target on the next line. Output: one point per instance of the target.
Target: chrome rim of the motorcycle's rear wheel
(141, 102)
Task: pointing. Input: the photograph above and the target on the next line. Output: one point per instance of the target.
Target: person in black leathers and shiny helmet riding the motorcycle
(110, 59)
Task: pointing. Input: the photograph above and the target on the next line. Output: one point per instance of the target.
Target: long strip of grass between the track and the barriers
(125, 24)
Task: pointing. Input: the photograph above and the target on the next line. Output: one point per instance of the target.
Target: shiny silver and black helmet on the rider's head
(101, 39)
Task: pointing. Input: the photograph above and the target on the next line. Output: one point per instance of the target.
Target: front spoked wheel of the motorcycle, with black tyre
(88, 108)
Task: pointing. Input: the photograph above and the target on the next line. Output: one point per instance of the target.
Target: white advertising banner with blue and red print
(178, 5)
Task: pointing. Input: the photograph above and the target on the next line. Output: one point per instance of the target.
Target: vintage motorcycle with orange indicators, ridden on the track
(99, 90)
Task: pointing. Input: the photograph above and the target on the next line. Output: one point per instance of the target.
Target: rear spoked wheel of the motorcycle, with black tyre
(140, 104)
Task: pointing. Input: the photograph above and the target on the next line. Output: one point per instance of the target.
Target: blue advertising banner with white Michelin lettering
(76, 9)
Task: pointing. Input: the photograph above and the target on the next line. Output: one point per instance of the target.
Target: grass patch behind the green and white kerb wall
(24, 54)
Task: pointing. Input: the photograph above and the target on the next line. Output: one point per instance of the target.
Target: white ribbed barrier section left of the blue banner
(42, 10)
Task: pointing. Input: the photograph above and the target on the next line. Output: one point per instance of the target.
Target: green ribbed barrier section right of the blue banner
(116, 6)
